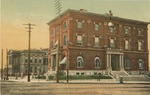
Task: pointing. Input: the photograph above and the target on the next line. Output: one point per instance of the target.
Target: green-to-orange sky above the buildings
(15, 13)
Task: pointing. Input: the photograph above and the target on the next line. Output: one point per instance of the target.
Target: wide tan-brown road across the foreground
(50, 88)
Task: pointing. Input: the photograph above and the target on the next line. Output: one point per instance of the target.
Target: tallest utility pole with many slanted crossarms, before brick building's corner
(58, 10)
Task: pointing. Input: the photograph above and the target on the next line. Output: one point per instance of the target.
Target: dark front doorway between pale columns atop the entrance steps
(115, 62)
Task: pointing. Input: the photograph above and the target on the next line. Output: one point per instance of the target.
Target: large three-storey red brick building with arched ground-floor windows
(91, 43)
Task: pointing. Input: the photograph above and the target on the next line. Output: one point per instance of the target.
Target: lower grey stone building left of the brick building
(18, 61)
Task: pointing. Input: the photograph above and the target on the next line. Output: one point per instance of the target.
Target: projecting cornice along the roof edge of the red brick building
(82, 11)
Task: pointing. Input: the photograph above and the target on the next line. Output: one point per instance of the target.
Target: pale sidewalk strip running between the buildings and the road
(75, 81)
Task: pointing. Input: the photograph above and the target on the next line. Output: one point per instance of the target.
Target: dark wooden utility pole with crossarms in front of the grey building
(29, 30)
